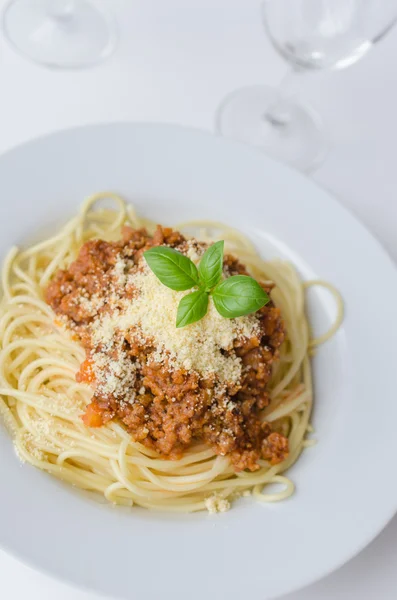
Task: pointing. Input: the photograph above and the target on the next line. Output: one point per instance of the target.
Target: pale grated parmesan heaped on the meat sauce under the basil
(205, 347)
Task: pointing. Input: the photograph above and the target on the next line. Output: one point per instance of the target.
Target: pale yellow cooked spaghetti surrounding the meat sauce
(42, 403)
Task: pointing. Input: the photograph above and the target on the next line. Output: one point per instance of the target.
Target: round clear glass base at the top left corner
(60, 33)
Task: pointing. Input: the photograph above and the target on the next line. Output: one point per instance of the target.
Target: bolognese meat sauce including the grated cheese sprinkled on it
(169, 388)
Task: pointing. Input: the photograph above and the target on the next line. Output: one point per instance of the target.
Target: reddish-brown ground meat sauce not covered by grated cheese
(172, 407)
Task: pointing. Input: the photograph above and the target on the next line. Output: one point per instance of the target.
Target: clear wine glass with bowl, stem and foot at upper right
(311, 35)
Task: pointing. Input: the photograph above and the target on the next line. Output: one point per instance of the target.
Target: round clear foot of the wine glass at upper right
(297, 139)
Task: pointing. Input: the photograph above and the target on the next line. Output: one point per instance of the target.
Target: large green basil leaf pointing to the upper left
(174, 270)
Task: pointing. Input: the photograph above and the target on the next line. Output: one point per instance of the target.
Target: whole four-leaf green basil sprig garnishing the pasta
(233, 297)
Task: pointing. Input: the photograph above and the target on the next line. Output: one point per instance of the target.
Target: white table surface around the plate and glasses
(175, 62)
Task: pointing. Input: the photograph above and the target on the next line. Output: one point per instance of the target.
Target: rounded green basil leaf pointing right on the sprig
(238, 295)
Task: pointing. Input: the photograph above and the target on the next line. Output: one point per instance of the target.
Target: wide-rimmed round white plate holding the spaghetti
(346, 485)
